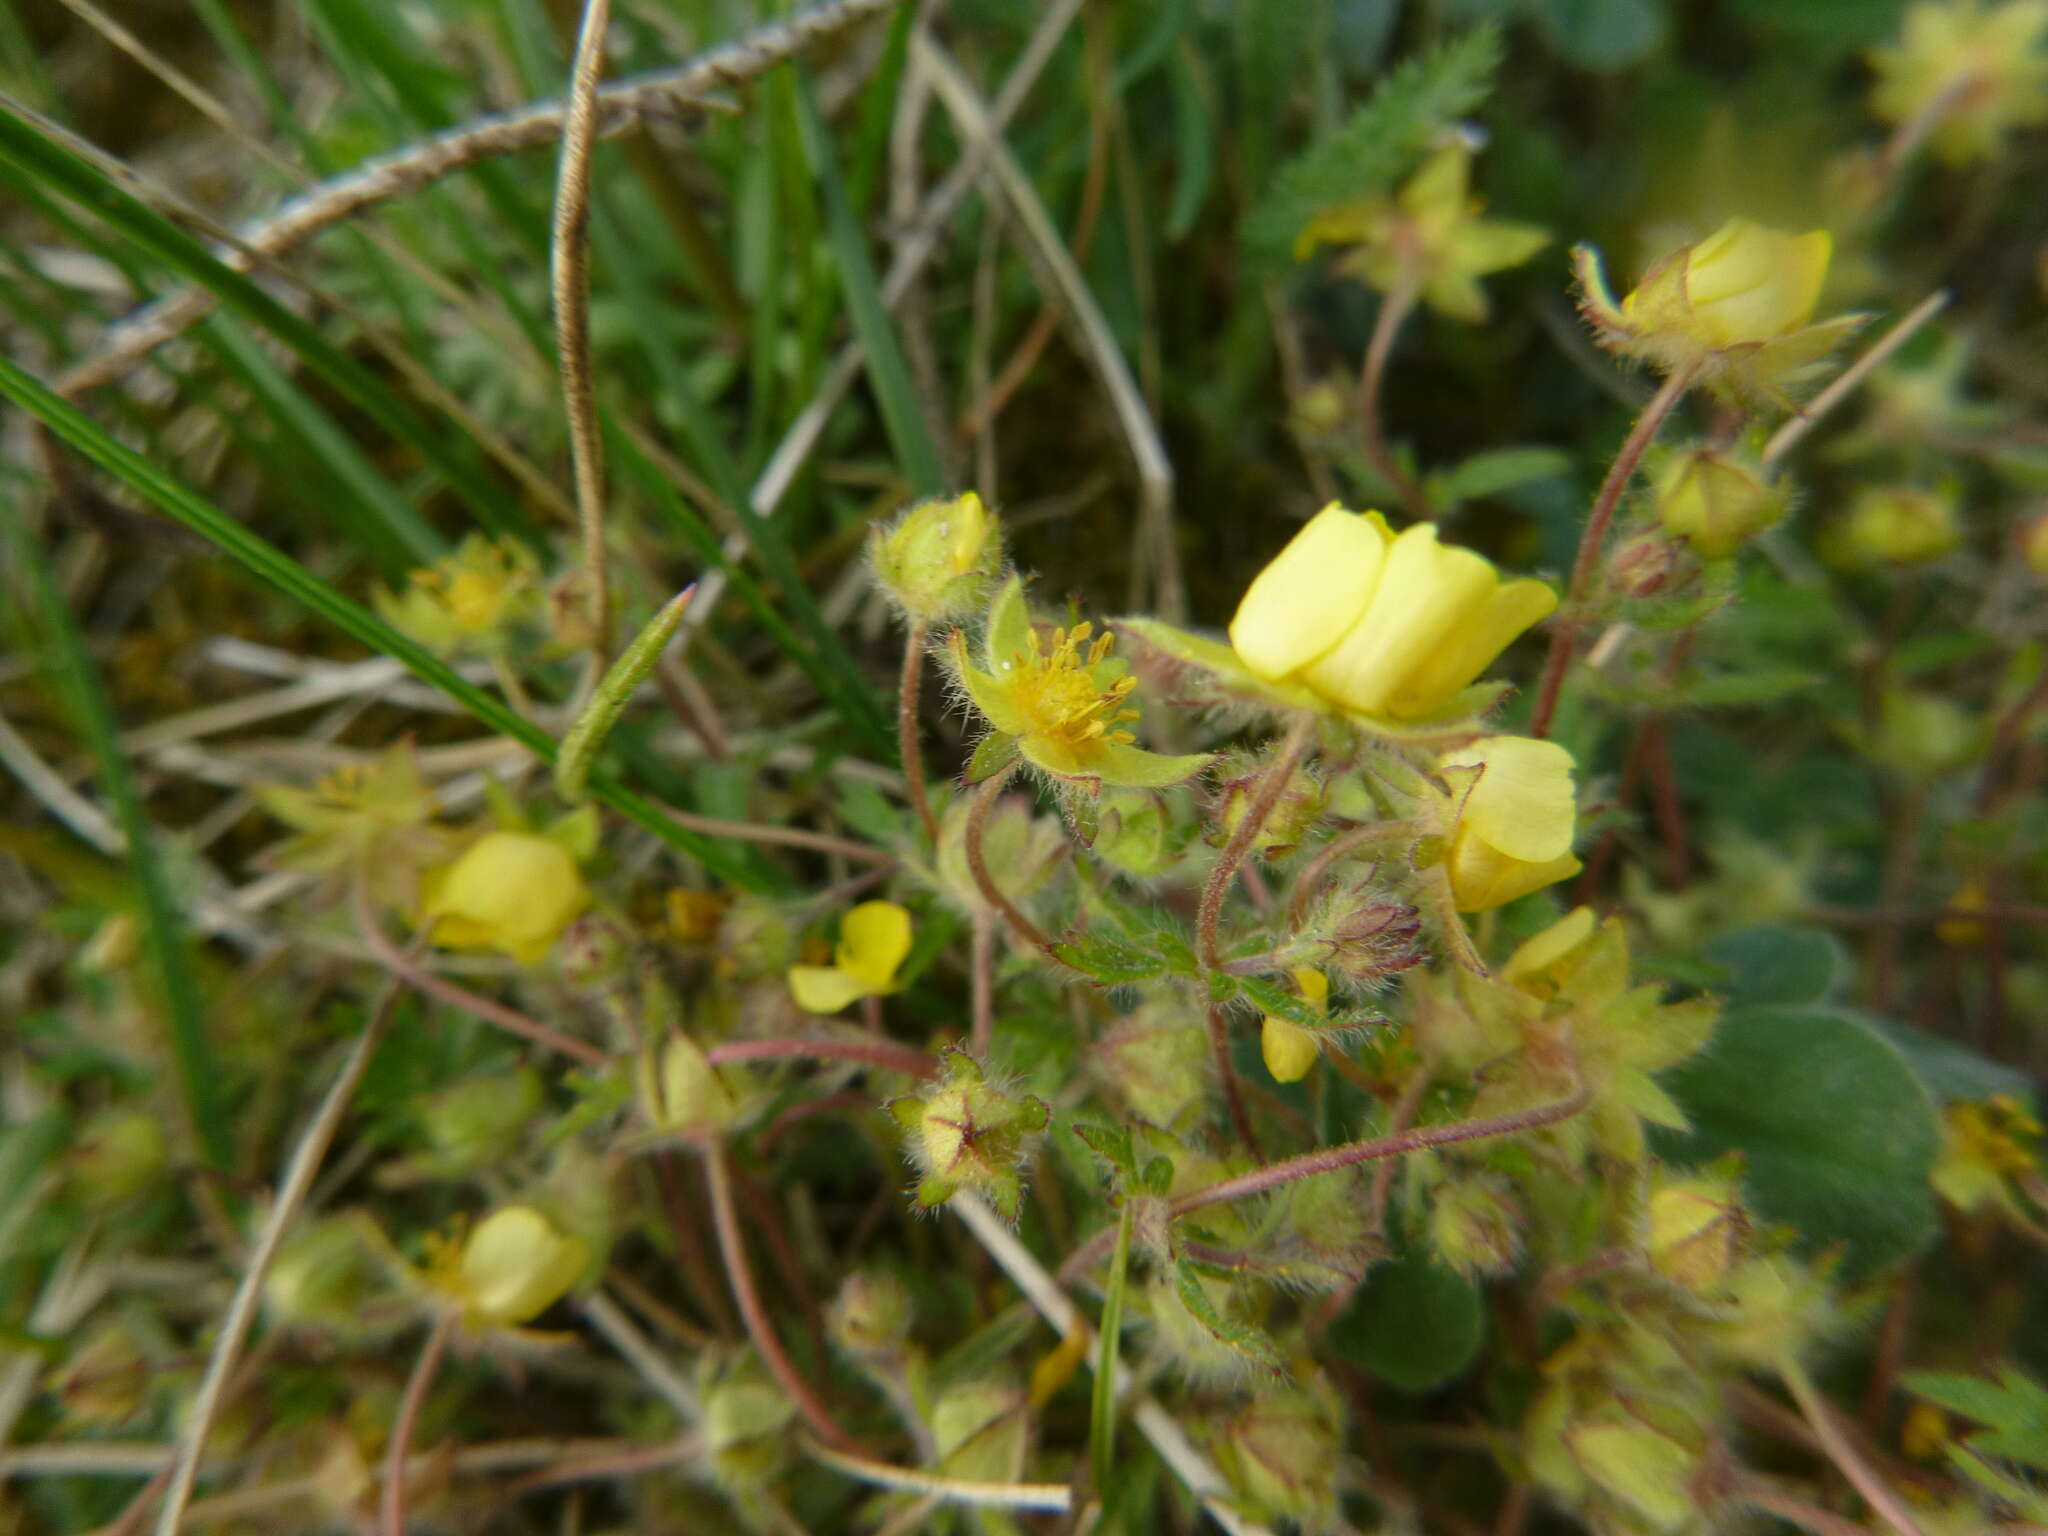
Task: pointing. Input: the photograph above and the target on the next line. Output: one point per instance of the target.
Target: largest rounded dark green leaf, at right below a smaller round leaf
(1836, 1129)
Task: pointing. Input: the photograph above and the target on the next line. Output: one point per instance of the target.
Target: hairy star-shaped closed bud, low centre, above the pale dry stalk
(970, 1134)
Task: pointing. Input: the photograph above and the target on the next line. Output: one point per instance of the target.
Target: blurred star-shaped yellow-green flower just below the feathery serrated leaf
(1428, 237)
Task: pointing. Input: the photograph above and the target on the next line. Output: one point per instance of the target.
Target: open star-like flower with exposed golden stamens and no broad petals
(1066, 703)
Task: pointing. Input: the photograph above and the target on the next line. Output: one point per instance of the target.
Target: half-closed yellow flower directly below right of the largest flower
(1514, 824)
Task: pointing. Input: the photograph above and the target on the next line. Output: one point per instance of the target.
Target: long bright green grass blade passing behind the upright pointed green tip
(294, 581)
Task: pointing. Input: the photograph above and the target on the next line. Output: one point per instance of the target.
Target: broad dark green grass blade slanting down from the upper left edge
(58, 169)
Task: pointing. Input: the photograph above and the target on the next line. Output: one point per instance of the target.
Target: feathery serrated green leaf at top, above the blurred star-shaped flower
(1379, 144)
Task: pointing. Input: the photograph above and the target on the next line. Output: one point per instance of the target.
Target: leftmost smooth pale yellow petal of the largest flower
(1312, 593)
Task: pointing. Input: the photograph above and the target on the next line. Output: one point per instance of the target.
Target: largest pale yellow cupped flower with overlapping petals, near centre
(1377, 624)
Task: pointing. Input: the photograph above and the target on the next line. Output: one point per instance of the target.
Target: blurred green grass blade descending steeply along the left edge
(165, 939)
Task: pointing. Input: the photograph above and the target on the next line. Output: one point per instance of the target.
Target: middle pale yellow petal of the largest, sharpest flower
(1426, 595)
